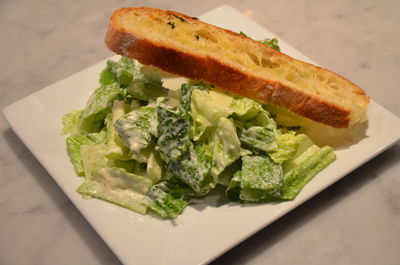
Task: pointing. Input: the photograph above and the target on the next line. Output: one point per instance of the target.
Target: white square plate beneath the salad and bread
(203, 231)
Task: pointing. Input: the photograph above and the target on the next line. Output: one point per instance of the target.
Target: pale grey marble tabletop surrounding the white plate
(355, 221)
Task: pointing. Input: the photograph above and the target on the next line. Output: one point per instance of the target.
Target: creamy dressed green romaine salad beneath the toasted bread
(154, 149)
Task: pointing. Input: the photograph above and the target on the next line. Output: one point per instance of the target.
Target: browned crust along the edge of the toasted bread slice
(194, 66)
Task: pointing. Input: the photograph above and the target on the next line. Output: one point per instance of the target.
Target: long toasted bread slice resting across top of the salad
(185, 46)
